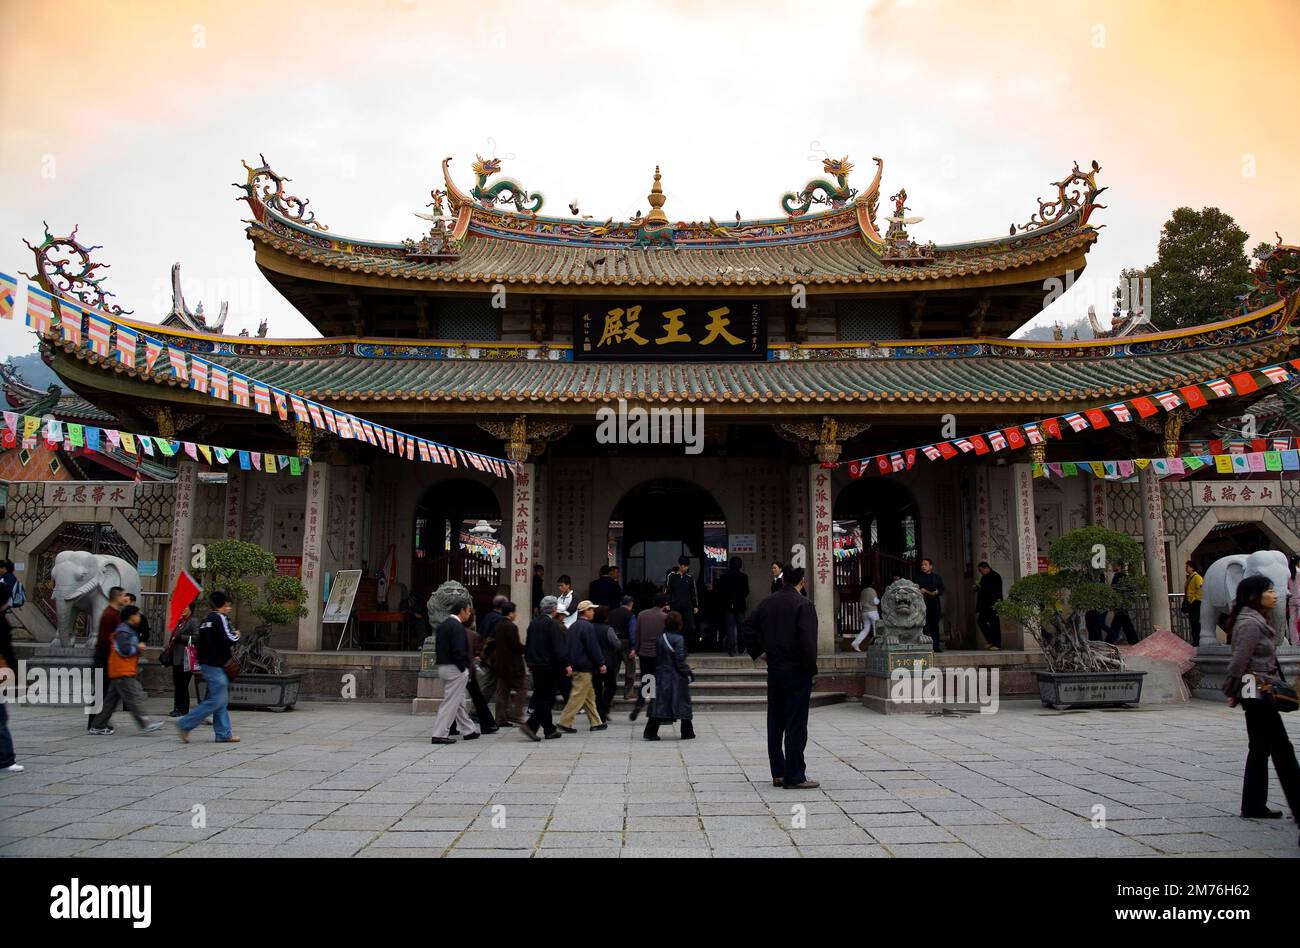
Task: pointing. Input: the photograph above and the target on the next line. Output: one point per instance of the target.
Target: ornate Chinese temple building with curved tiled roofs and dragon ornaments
(777, 352)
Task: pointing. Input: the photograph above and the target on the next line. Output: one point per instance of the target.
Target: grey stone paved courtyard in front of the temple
(336, 780)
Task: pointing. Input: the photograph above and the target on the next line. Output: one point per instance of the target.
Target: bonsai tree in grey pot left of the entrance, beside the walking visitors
(265, 682)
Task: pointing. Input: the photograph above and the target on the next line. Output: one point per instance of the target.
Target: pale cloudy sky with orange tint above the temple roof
(132, 119)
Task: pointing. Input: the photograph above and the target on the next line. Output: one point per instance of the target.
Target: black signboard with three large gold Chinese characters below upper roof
(691, 331)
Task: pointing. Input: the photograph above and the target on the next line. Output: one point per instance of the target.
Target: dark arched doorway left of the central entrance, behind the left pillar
(457, 536)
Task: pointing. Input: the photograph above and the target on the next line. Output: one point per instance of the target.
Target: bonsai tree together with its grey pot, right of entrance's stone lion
(1052, 607)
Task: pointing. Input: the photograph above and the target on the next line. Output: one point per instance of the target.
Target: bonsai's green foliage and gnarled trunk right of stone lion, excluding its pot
(1054, 605)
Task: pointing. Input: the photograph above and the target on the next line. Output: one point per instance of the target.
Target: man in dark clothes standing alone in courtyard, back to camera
(783, 633)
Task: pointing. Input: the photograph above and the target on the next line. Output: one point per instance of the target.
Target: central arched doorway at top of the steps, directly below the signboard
(656, 523)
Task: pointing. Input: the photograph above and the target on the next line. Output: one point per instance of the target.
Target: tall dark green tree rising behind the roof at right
(1201, 270)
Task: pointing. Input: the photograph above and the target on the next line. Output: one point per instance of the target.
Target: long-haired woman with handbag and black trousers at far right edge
(1254, 681)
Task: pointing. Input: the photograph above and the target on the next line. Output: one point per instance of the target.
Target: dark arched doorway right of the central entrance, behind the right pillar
(877, 538)
